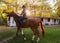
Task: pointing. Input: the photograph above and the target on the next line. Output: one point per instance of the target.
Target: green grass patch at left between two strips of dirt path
(6, 33)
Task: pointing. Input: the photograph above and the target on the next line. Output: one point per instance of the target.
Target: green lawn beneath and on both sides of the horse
(52, 35)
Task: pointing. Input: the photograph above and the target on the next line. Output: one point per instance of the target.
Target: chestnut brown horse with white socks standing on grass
(31, 22)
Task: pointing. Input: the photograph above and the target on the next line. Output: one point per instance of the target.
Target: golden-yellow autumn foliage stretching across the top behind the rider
(40, 7)
